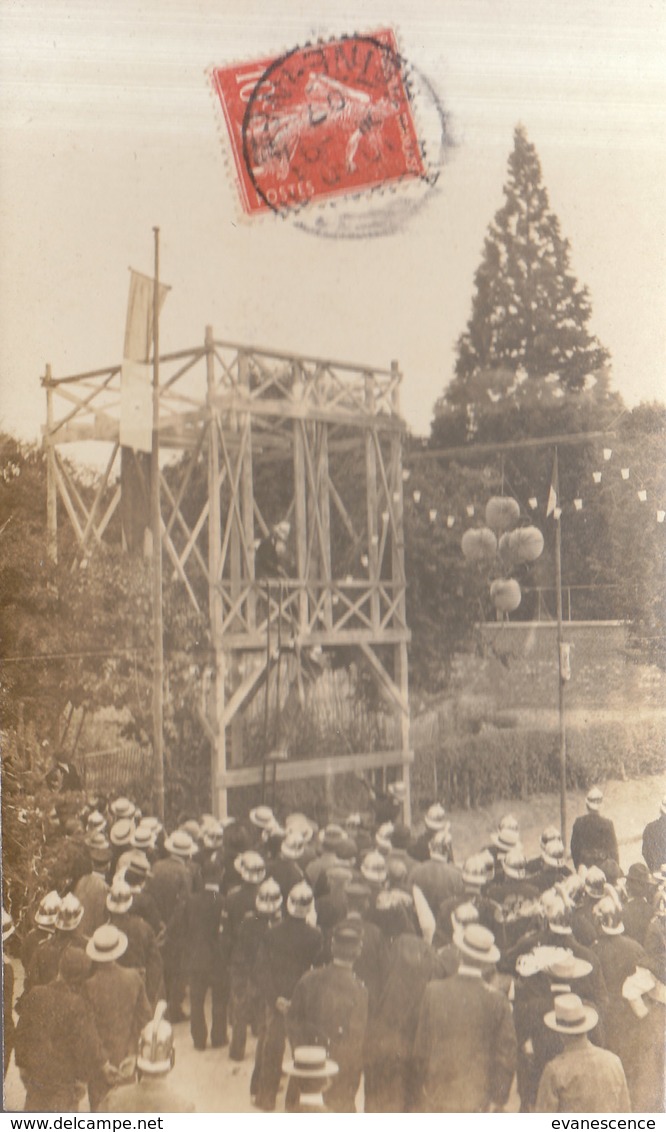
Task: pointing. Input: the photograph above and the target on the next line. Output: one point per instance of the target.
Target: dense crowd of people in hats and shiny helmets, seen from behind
(365, 959)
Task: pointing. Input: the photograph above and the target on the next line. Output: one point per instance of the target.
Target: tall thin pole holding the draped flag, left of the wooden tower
(157, 533)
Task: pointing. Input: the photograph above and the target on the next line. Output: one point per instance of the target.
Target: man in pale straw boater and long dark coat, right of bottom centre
(465, 1048)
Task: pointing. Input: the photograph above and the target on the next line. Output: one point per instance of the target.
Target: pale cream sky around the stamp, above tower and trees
(108, 127)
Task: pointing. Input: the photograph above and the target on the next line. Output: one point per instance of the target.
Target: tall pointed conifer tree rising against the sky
(530, 313)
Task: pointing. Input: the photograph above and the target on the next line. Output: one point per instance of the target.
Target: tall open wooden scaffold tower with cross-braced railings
(238, 409)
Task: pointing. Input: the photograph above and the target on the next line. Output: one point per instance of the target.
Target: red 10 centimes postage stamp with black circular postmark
(321, 122)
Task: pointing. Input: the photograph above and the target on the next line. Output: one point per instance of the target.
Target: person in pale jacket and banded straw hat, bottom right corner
(584, 1078)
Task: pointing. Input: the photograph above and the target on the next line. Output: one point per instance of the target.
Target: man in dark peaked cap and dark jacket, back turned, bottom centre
(330, 1008)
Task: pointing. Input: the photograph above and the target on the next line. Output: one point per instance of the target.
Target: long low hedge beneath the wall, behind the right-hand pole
(471, 771)
